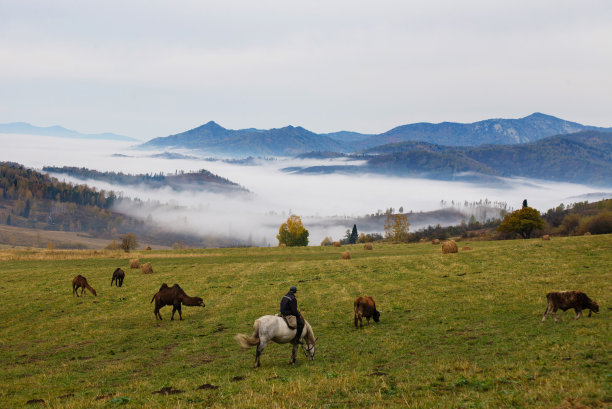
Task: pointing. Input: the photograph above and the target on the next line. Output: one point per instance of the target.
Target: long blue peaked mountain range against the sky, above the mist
(289, 141)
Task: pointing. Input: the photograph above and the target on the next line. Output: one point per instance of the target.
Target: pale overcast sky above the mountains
(148, 68)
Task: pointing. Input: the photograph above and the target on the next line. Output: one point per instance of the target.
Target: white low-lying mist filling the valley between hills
(328, 204)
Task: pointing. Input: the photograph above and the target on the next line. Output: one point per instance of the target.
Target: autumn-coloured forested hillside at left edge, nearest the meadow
(30, 199)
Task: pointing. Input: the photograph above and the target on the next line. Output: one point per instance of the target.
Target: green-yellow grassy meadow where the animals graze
(457, 330)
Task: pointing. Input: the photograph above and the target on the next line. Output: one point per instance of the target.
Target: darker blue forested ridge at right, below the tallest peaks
(582, 157)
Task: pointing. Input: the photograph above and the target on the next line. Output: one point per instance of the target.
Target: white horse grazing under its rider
(274, 328)
